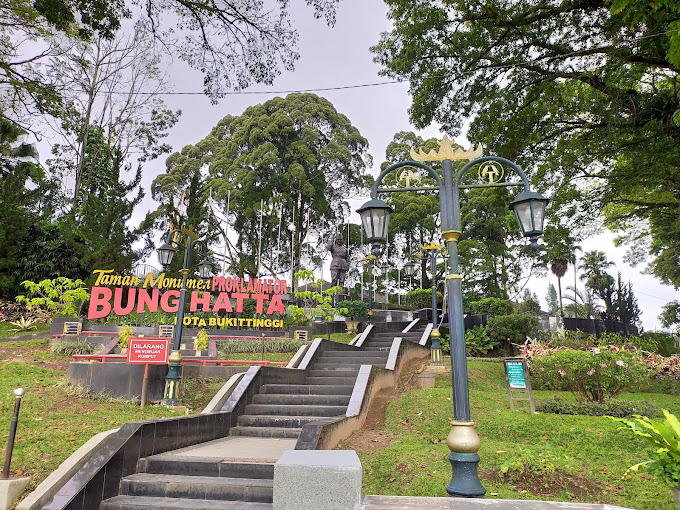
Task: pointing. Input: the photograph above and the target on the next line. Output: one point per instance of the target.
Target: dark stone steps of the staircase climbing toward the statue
(277, 412)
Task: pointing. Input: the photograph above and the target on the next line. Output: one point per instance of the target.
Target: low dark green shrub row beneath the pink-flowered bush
(615, 407)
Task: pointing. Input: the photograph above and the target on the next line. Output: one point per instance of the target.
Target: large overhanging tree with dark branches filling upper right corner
(583, 95)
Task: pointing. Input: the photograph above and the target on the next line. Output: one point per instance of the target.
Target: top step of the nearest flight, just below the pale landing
(197, 466)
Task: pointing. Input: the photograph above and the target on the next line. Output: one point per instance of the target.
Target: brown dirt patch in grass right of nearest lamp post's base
(546, 484)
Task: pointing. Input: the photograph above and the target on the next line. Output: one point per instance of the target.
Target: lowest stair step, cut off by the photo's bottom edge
(152, 503)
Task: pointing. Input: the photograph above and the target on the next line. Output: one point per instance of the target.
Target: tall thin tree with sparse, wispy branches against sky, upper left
(114, 85)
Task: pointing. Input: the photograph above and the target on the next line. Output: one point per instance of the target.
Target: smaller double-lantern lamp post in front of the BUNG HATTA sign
(187, 239)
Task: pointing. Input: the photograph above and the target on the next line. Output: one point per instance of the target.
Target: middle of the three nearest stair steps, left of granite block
(197, 487)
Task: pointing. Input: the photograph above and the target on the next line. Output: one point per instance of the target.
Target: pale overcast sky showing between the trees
(340, 56)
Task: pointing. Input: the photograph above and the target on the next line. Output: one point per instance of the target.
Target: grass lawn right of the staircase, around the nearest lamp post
(550, 457)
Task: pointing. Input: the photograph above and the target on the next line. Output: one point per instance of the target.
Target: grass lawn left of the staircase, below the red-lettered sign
(54, 419)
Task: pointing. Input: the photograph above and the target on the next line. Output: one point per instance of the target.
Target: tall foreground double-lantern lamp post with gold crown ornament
(529, 209)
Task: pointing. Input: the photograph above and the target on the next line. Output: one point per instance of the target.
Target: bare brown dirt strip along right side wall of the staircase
(368, 438)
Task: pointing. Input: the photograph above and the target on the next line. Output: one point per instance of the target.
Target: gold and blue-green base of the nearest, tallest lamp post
(463, 442)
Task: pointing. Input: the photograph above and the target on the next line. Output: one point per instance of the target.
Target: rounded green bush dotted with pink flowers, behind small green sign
(595, 375)
